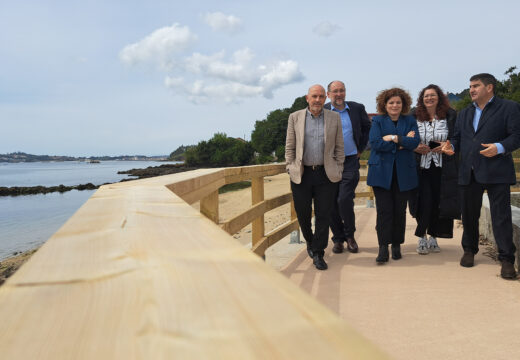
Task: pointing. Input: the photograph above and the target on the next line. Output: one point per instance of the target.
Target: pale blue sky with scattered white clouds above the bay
(92, 78)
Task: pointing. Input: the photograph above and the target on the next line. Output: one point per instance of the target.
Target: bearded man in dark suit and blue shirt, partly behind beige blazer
(356, 126)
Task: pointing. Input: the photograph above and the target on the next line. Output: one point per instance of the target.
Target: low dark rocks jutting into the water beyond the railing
(150, 171)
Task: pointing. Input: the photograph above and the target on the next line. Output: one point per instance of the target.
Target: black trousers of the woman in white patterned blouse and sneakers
(428, 220)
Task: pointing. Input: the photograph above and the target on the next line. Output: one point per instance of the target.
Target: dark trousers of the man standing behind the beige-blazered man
(343, 220)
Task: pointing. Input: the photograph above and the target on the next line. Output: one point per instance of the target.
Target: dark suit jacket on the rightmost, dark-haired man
(499, 123)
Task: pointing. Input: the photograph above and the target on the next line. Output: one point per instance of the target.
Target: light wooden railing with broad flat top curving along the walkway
(137, 273)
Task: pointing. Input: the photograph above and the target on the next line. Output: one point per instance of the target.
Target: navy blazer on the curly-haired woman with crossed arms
(384, 154)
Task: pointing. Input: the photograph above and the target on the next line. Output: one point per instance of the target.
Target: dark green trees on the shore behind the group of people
(268, 137)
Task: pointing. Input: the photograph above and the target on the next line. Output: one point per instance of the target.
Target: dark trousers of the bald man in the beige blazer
(314, 185)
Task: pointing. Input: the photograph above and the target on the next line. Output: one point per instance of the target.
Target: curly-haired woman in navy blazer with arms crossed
(392, 168)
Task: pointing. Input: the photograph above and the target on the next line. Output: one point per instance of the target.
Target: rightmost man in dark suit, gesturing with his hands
(486, 132)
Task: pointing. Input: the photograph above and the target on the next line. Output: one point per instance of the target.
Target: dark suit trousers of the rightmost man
(500, 206)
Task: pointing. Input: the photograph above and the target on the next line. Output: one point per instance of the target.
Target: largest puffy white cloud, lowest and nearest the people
(232, 80)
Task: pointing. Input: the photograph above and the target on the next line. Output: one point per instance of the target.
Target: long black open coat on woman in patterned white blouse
(449, 206)
